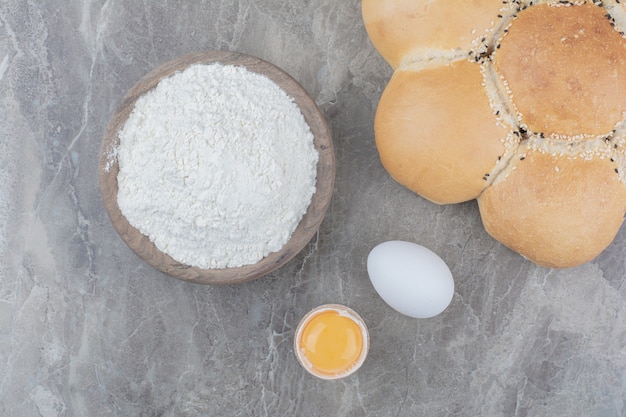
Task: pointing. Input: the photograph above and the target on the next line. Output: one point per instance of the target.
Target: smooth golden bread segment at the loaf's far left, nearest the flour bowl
(442, 161)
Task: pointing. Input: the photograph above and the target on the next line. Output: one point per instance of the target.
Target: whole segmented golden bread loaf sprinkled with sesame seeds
(521, 105)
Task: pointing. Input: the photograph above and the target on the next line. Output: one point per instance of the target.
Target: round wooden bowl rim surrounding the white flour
(142, 246)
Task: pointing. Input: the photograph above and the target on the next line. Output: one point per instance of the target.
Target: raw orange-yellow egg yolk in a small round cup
(332, 343)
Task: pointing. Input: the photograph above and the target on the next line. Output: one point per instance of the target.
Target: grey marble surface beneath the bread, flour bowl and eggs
(88, 329)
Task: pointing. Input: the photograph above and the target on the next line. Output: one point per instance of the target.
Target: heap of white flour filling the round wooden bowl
(217, 166)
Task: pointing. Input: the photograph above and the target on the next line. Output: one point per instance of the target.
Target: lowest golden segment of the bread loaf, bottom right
(556, 210)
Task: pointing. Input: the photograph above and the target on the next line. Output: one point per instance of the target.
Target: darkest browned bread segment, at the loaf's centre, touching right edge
(566, 69)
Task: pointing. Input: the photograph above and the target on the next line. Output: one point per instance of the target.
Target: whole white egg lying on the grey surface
(412, 279)
